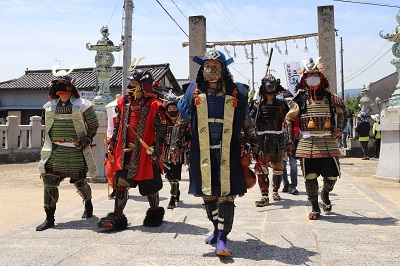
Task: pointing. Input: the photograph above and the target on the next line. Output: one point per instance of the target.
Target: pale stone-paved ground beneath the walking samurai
(362, 229)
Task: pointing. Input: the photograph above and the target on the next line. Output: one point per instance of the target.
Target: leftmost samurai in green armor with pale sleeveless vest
(70, 125)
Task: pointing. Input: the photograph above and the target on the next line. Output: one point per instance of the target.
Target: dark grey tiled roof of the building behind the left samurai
(87, 79)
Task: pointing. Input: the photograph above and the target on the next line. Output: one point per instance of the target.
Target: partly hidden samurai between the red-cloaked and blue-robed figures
(175, 146)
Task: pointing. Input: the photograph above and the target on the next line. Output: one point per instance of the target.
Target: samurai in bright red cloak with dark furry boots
(136, 147)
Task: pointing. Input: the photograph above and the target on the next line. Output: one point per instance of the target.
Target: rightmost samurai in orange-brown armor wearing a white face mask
(321, 114)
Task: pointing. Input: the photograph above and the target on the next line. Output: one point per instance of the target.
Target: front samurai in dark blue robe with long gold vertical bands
(217, 109)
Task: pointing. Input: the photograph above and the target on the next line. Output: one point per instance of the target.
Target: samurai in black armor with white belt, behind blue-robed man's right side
(270, 123)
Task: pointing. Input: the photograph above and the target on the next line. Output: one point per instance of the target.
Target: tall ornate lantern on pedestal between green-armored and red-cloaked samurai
(104, 60)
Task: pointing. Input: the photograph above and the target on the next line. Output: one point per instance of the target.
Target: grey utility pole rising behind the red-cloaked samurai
(128, 5)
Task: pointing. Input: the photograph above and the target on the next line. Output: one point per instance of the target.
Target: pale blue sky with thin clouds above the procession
(39, 34)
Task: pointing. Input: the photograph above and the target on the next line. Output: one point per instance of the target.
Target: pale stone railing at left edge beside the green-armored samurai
(15, 136)
